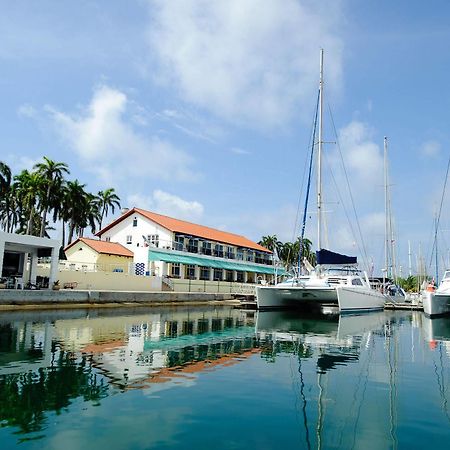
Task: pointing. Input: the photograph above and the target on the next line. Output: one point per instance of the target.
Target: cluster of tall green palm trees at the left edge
(30, 197)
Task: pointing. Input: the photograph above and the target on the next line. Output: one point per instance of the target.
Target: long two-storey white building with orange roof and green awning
(168, 247)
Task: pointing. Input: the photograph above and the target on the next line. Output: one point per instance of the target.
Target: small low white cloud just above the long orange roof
(168, 204)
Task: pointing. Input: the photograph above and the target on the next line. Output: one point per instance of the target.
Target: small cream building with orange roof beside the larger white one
(92, 254)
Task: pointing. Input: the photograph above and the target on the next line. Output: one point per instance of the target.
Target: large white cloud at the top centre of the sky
(248, 61)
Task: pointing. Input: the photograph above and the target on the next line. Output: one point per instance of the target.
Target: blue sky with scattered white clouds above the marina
(203, 110)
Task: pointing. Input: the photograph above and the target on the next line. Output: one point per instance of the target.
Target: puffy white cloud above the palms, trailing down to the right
(104, 137)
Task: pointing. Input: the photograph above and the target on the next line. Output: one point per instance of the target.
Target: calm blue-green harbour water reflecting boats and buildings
(223, 379)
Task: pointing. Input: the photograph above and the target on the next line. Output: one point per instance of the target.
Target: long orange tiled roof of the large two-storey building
(191, 229)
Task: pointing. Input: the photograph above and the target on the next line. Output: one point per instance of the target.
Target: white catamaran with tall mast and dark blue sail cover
(335, 280)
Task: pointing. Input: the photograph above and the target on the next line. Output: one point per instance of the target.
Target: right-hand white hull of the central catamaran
(355, 299)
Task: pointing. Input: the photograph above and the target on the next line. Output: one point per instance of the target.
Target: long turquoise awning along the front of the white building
(155, 255)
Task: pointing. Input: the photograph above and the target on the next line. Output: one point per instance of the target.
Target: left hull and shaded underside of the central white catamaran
(277, 297)
